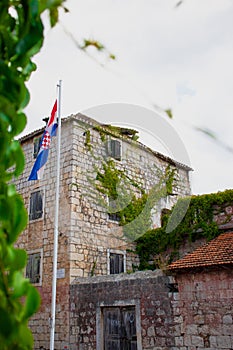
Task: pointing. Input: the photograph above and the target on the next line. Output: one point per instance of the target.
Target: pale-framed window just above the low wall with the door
(116, 261)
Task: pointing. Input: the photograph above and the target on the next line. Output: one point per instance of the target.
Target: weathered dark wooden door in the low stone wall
(120, 328)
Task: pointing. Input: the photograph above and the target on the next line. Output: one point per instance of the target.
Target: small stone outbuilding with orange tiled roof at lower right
(205, 305)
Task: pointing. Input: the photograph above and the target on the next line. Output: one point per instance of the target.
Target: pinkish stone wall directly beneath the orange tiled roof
(205, 308)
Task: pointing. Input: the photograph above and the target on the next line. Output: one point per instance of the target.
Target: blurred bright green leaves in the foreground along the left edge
(21, 37)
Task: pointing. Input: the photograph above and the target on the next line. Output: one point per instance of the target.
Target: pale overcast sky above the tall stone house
(179, 58)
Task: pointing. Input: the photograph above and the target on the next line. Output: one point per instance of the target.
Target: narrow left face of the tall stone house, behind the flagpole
(39, 236)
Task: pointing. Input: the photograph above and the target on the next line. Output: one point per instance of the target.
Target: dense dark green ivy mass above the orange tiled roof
(197, 223)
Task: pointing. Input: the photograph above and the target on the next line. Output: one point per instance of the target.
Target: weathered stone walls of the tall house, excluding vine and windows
(86, 235)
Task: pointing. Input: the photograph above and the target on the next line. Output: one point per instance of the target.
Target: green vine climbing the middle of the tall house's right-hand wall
(128, 199)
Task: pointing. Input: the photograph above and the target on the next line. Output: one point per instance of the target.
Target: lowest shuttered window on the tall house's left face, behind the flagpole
(33, 269)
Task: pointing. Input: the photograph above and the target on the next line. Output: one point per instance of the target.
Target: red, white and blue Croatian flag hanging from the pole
(42, 157)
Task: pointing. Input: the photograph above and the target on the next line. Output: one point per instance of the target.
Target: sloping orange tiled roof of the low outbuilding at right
(217, 252)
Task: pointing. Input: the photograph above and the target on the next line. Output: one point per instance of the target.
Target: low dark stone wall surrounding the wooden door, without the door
(148, 291)
